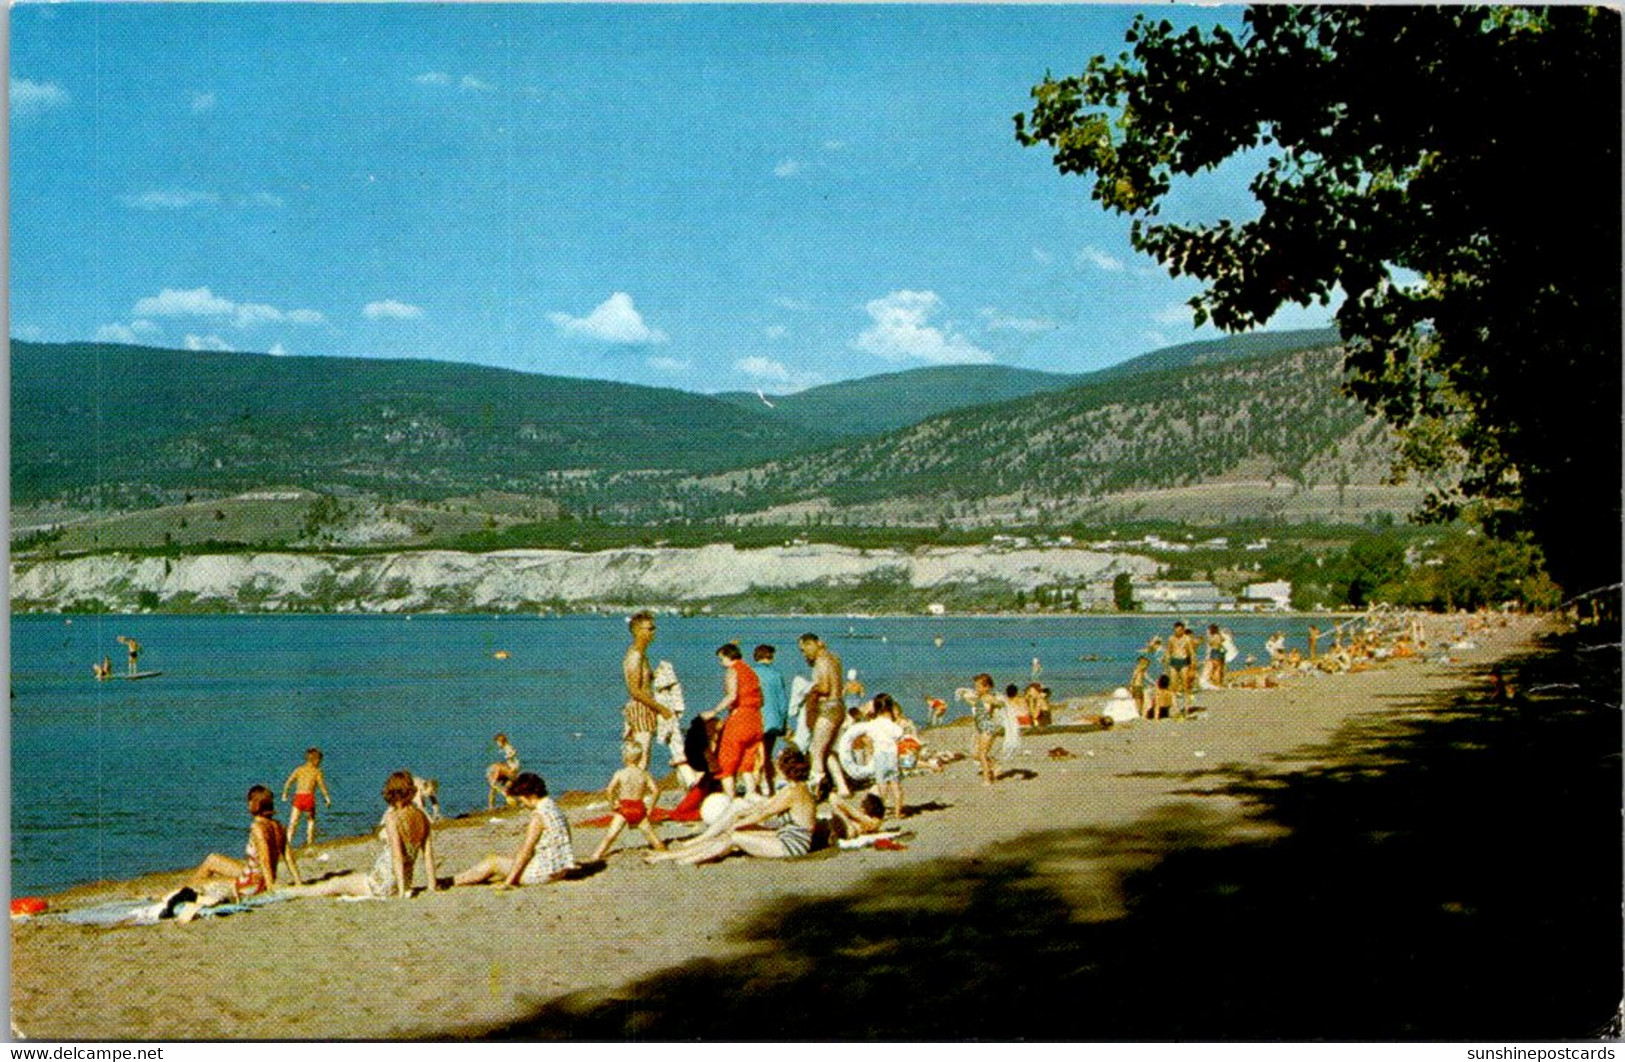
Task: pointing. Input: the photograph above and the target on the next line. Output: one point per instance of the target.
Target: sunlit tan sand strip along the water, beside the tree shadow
(591, 943)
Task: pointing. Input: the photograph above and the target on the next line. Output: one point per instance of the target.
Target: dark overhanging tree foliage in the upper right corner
(1475, 149)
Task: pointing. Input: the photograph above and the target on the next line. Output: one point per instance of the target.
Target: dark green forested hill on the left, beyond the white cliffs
(89, 415)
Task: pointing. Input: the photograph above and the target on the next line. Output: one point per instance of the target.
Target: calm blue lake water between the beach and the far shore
(121, 779)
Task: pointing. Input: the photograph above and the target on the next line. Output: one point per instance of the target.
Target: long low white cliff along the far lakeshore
(535, 579)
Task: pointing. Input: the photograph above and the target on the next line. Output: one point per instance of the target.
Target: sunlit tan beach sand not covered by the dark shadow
(644, 951)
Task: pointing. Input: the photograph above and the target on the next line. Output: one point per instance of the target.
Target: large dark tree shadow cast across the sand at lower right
(1450, 871)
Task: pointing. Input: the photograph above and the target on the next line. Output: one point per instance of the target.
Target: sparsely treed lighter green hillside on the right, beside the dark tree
(1281, 417)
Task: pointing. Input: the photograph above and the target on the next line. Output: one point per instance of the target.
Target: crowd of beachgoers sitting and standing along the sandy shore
(778, 769)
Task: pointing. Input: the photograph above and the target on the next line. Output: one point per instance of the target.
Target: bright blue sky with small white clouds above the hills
(704, 197)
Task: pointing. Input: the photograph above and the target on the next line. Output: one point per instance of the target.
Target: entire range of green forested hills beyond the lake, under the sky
(141, 426)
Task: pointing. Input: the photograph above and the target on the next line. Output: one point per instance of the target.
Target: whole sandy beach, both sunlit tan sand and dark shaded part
(1288, 863)
